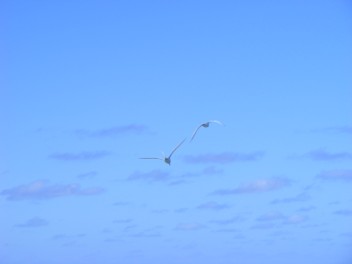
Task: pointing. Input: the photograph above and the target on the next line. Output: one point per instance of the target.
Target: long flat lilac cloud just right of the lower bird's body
(225, 157)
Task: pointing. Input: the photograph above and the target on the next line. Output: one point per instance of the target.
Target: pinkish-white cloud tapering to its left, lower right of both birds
(257, 186)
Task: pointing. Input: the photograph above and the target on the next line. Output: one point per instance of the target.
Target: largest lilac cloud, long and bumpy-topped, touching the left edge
(40, 189)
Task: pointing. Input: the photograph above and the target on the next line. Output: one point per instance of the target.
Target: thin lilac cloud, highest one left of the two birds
(113, 131)
